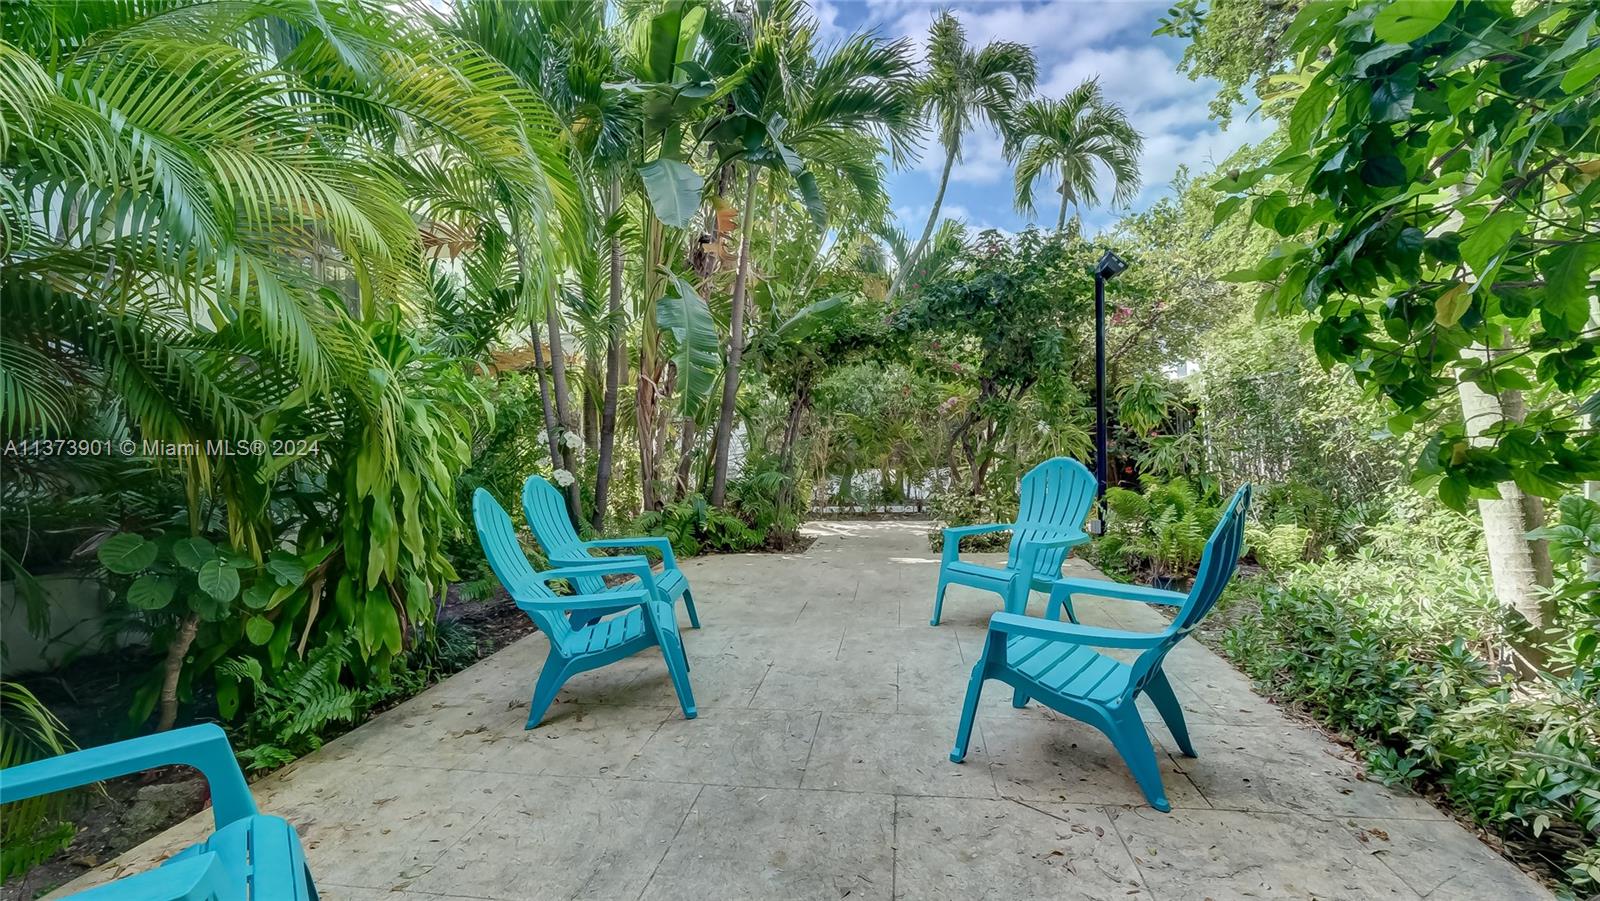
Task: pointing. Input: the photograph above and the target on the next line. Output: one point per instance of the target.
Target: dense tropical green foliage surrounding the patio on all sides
(286, 282)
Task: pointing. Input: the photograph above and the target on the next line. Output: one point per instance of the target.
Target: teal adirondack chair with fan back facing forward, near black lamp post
(1057, 499)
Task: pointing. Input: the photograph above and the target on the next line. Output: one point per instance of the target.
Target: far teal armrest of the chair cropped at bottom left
(204, 747)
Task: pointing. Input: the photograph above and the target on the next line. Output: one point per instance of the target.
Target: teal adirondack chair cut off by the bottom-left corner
(250, 857)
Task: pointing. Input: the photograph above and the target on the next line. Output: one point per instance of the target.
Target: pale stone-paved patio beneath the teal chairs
(818, 769)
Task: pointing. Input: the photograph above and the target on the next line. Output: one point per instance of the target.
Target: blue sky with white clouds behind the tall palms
(1074, 41)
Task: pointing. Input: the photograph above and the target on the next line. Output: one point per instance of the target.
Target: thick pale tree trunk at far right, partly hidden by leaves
(1519, 567)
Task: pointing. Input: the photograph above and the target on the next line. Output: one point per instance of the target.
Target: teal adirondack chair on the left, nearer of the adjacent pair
(641, 615)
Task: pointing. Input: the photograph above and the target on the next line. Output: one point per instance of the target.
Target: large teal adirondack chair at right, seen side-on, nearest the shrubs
(1058, 665)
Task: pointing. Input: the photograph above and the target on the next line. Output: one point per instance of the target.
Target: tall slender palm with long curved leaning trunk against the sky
(966, 87)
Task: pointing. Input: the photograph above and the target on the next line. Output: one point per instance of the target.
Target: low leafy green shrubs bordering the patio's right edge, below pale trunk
(1402, 651)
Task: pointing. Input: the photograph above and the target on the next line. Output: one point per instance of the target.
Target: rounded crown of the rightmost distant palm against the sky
(1071, 140)
